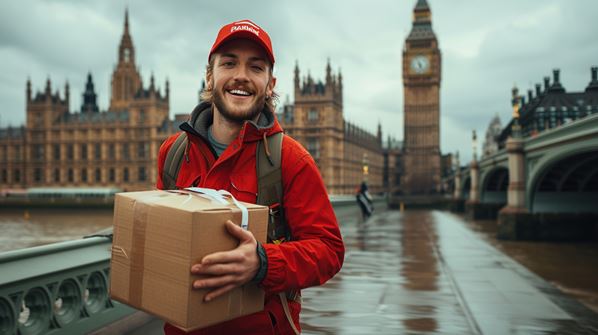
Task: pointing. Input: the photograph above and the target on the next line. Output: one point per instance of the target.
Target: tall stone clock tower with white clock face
(421, 86)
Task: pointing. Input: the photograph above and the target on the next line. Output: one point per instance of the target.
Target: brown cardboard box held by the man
(158, 236)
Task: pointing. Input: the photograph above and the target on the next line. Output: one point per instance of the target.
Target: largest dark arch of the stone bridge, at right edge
(565, 181)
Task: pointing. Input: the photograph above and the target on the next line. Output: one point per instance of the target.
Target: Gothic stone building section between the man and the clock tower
(345, 153)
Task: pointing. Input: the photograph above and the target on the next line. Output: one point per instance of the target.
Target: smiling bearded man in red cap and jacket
(235, 117)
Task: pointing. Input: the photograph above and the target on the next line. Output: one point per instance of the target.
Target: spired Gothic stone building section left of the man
(114, 148)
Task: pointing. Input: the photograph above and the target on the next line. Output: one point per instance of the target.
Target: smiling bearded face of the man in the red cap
(241, 79)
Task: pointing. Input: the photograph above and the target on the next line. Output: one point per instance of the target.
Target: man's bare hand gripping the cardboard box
(228, 269)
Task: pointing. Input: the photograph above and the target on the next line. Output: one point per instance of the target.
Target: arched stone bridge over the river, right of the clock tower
(539, 187)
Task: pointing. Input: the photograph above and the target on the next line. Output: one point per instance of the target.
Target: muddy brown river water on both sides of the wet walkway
(572, 267)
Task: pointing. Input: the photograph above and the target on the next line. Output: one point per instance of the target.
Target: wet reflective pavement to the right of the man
(427, 272)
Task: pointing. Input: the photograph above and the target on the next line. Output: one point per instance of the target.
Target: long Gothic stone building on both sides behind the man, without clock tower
(118, 147)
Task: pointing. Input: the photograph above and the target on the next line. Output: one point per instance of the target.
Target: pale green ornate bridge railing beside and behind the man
(62, 288)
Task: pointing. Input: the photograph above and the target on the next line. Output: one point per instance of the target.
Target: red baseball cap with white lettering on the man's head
(244, 29)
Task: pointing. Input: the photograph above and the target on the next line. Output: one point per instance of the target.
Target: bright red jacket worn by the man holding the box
(316, 252)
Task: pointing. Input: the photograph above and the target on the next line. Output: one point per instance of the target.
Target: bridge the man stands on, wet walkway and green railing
(404, 272)
